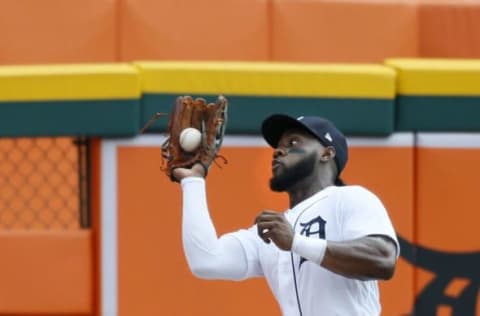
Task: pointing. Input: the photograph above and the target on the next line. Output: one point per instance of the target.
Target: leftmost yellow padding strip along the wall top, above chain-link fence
(69, 82)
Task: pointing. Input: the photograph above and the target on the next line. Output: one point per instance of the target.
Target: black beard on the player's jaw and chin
(293, 174)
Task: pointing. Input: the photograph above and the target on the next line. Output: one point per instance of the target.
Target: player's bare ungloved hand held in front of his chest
(273, 226)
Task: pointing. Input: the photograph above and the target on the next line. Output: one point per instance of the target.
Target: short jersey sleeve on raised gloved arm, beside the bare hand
(250, 242)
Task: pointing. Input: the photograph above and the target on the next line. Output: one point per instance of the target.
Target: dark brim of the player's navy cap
(274, 126)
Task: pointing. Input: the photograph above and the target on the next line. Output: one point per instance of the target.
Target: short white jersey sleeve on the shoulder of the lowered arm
(362, 214)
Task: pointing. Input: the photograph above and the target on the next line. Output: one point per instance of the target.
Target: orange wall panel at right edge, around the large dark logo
(447, 214)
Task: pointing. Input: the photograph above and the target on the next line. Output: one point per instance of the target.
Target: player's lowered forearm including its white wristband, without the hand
(364, 258)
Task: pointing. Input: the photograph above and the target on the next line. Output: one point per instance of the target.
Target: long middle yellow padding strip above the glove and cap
(268, 79)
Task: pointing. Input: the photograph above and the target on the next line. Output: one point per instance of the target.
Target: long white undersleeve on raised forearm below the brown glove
(208, 256)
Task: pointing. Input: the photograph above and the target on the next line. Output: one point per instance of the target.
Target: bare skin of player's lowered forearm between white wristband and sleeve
(365, 258)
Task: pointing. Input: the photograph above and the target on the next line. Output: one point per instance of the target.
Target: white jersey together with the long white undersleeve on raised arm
(301, 287)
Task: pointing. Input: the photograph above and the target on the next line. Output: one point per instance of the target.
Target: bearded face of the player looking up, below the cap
(294, 159)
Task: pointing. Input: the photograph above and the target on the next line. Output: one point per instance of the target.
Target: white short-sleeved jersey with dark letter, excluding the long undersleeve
(305, 288)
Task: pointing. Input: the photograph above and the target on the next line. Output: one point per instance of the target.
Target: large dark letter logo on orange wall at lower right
(447, 268)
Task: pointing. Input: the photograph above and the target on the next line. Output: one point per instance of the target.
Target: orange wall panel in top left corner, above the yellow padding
(57, 31)
